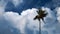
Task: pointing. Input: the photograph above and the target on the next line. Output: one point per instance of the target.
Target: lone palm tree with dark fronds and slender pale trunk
(41, 15)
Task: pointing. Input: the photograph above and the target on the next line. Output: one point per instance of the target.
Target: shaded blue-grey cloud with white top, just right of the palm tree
(50, 22)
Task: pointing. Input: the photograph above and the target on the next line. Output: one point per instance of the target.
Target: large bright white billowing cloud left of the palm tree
(20, 21)
